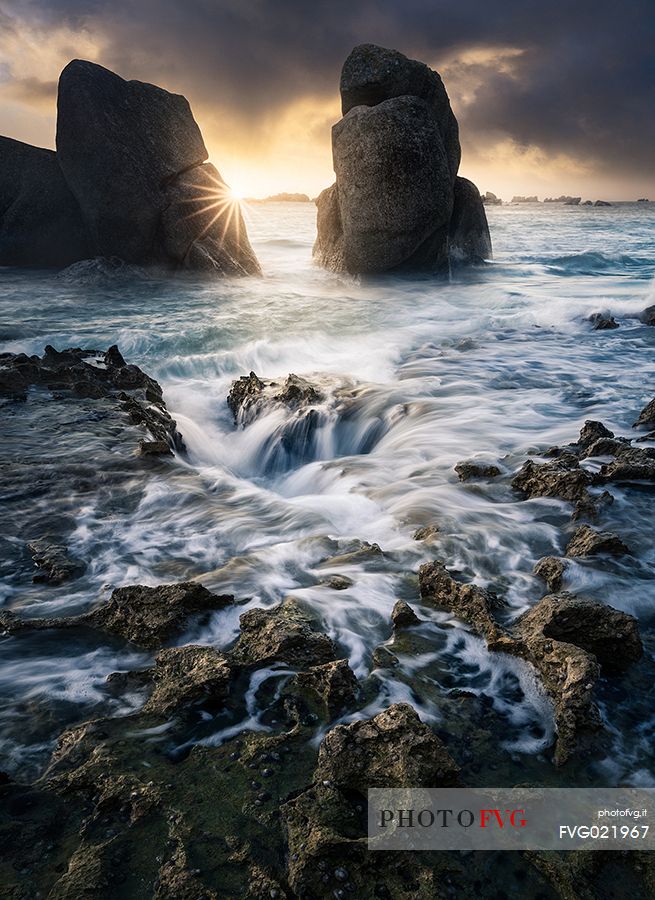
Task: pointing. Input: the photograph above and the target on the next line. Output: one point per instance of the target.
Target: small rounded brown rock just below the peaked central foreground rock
(324, 691)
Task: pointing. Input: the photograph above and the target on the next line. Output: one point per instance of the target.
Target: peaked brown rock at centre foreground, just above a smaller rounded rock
(284, 633)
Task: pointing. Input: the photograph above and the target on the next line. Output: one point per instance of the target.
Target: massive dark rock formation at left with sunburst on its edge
(129, 180)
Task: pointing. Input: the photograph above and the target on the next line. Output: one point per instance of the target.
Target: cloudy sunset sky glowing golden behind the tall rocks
(552, 97)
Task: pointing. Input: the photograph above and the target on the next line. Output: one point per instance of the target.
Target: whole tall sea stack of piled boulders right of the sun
(397, 203)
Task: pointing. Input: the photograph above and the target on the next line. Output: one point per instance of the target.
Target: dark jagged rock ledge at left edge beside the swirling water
(94, 374)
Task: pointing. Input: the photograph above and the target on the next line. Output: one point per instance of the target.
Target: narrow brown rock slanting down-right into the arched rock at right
(468, 602)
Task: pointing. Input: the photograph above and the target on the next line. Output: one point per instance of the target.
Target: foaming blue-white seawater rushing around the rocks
(496, 364)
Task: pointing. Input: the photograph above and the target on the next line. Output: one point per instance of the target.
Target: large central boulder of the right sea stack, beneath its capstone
(394, 189)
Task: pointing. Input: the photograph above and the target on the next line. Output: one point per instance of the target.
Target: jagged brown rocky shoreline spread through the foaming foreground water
(129, 806)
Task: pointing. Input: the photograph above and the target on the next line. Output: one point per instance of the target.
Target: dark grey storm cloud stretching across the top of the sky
(584, 84)
